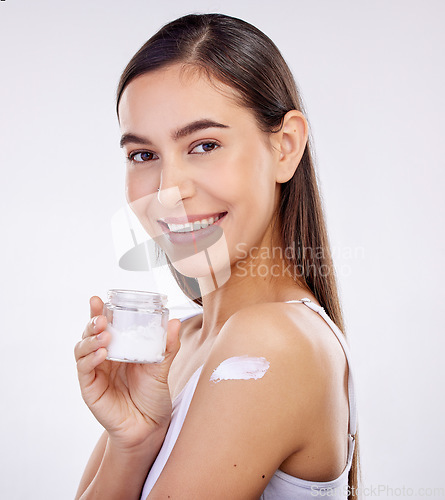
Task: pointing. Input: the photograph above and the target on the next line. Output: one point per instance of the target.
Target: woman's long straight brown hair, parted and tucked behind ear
(241, 56)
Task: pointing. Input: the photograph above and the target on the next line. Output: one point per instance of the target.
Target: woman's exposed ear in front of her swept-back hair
(290, 142)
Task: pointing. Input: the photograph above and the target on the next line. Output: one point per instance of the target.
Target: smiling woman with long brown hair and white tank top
(214, 135)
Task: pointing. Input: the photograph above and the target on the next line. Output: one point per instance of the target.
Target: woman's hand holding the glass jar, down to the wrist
(130, 400)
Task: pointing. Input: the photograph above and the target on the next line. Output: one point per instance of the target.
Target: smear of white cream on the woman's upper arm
(240, 368)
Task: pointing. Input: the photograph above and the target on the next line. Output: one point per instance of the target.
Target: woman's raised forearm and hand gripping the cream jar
(133, 404)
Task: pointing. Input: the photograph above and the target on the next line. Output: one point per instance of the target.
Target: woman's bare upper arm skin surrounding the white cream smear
(238, 432)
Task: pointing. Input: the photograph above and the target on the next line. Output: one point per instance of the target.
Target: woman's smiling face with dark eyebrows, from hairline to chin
(195, 156)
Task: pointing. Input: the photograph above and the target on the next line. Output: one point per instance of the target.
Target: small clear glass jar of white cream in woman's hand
(137, 322)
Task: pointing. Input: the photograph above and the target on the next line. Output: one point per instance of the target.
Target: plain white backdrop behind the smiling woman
(372, 78)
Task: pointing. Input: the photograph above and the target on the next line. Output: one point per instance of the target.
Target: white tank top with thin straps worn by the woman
(282, 486)
